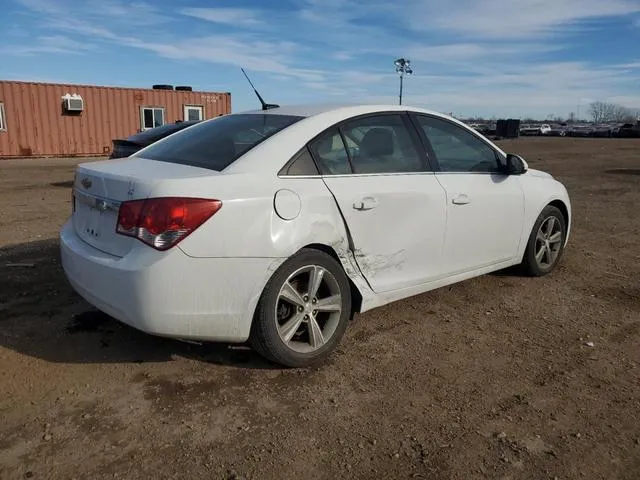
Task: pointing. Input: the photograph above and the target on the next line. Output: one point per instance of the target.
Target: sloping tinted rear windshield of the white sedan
(216, 144)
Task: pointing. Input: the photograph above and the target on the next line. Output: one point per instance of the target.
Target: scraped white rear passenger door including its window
(393, 206)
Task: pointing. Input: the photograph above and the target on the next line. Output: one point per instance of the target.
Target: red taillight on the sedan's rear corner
(163, 222)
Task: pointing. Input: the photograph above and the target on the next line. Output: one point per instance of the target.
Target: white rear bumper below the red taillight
(168, 293)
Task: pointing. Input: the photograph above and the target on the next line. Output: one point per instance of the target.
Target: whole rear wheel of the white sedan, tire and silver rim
(282, 313)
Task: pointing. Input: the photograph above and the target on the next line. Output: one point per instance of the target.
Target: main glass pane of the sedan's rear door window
(381, 144)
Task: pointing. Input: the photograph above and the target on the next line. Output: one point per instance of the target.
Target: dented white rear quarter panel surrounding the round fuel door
(247, 225)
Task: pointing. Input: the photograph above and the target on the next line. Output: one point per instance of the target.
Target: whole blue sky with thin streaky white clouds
(470, 57)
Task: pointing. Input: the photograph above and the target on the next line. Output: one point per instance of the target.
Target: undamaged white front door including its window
(485, 206)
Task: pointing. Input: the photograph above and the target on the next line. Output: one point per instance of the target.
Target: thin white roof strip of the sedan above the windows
(311, 110)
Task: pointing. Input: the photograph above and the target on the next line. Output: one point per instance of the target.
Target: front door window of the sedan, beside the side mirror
(458, 150)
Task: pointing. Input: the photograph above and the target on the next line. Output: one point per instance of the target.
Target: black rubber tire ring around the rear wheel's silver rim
(264, 334)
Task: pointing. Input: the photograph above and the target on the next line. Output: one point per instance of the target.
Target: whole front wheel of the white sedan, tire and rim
(534, 264)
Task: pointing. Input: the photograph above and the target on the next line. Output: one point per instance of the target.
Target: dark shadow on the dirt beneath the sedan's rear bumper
(41, 316)
